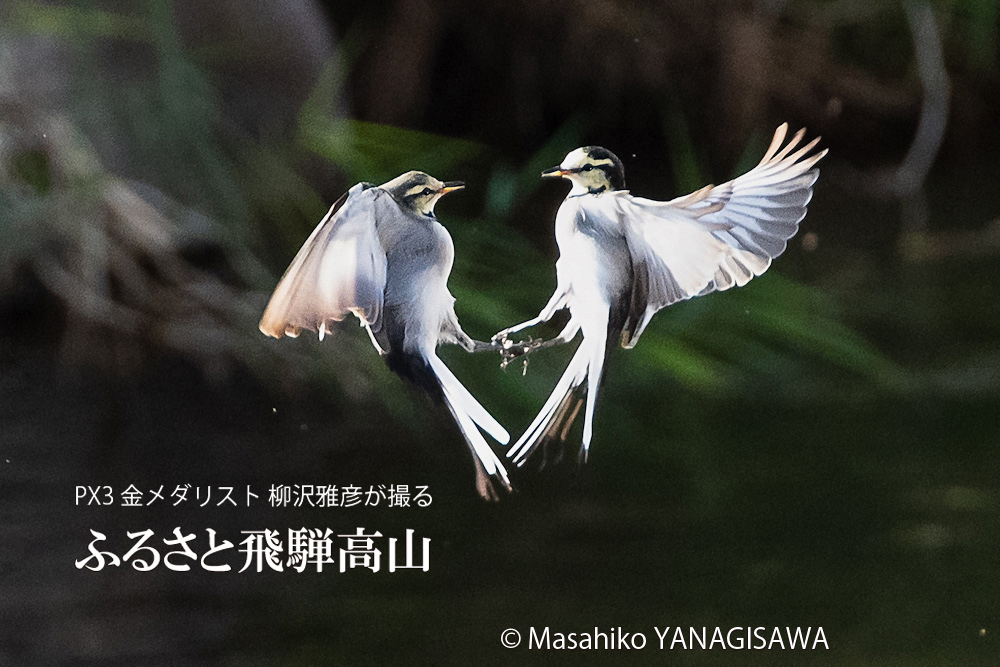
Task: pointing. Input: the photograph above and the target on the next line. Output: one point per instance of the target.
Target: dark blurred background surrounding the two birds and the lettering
(816, 449)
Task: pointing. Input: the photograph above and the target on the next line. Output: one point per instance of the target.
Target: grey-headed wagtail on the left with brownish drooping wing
(381, 255)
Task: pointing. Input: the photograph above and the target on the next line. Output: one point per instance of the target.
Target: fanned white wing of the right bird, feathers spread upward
(719, 236)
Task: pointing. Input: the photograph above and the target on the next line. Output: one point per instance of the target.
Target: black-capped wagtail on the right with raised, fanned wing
(623, 258)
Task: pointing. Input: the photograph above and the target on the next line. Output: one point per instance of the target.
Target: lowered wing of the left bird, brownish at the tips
(340, 269)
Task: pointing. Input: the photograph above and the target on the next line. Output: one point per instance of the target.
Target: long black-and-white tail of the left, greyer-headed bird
(468, 413)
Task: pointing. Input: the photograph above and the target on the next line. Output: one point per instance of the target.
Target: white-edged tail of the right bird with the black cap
(553, 421)
